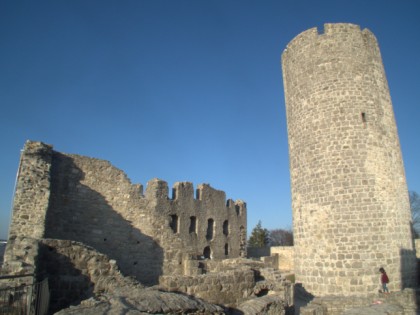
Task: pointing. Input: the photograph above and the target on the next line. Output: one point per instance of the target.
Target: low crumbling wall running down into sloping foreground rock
(78, 272)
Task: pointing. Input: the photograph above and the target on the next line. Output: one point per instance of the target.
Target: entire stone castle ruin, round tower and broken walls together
(81, 223)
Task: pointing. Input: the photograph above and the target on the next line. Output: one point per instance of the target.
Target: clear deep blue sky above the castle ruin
(181, 90)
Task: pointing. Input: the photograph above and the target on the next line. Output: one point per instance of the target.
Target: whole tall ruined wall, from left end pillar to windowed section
(78, 198)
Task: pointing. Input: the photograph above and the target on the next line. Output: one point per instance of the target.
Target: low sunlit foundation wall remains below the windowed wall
(231, 282)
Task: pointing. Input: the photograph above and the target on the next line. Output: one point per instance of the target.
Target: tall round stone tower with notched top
(351, 212)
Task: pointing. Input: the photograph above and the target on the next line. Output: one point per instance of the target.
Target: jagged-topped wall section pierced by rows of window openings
(208, 225)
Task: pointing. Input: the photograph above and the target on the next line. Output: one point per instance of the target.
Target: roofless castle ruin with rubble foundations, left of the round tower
(81, 223)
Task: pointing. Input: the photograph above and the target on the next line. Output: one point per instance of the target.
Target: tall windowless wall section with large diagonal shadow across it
(94, 203)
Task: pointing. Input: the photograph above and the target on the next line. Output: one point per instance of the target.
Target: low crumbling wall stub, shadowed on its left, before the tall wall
(75, 272)
